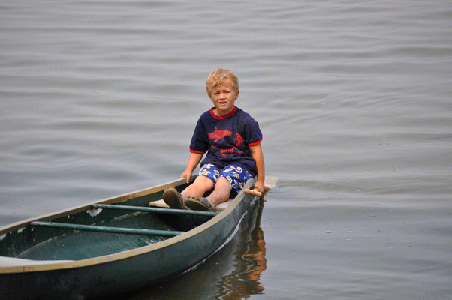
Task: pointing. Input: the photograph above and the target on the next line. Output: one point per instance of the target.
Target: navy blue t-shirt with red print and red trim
(227, 139)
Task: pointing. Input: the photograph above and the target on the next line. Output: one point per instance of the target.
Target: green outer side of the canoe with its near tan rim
(127, 270)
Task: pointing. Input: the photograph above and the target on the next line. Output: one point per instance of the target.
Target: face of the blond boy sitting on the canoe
(223, 97)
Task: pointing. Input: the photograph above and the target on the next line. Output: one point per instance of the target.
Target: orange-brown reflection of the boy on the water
(250, 262)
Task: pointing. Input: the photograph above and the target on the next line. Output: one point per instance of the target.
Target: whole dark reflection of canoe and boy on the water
(231, 273)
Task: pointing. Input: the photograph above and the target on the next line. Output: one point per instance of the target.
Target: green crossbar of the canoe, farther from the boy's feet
(107, 229)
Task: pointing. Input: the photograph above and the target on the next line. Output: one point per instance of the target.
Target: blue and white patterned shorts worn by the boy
(235, 175)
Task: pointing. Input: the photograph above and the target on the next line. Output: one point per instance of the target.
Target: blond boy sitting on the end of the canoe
(232, 140)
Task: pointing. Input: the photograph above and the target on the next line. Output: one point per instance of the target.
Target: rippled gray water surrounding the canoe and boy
(100, 98)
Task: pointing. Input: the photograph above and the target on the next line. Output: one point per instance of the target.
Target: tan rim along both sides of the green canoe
(39, 266)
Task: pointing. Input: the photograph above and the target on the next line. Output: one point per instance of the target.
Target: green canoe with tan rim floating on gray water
(111, 246)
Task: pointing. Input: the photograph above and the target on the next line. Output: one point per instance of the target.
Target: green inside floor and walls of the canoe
(42, 243)
